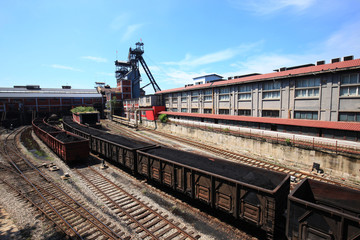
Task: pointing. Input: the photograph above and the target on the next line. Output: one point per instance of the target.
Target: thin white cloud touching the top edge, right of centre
(263, 7)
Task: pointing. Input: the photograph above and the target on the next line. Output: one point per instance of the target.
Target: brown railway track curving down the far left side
(70, 216)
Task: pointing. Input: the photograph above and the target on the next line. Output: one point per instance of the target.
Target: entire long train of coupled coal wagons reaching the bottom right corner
(257, 196)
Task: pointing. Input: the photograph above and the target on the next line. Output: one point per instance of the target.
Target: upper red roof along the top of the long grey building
(288, 73)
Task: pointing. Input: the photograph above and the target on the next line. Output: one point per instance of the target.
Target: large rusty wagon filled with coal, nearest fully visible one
(255, 195)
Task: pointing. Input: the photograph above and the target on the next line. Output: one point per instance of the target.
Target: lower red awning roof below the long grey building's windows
(350, 126)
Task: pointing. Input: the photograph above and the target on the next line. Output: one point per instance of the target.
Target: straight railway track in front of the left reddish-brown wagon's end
(147, 223)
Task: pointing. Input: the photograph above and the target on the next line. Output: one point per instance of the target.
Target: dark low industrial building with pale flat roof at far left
(21, 104)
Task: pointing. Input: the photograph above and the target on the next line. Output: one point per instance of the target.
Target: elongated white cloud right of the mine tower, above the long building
(214, 57)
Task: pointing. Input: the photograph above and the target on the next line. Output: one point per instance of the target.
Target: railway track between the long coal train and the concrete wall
(296, 174)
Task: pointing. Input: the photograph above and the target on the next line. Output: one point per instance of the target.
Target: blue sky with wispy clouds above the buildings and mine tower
(55, 43)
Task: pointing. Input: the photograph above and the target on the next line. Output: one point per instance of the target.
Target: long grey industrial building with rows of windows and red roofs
(317, 99)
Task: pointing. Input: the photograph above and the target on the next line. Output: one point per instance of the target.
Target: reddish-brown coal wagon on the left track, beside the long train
(67, 146)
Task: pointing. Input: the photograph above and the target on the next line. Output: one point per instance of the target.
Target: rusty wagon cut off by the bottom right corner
(318, 210)
